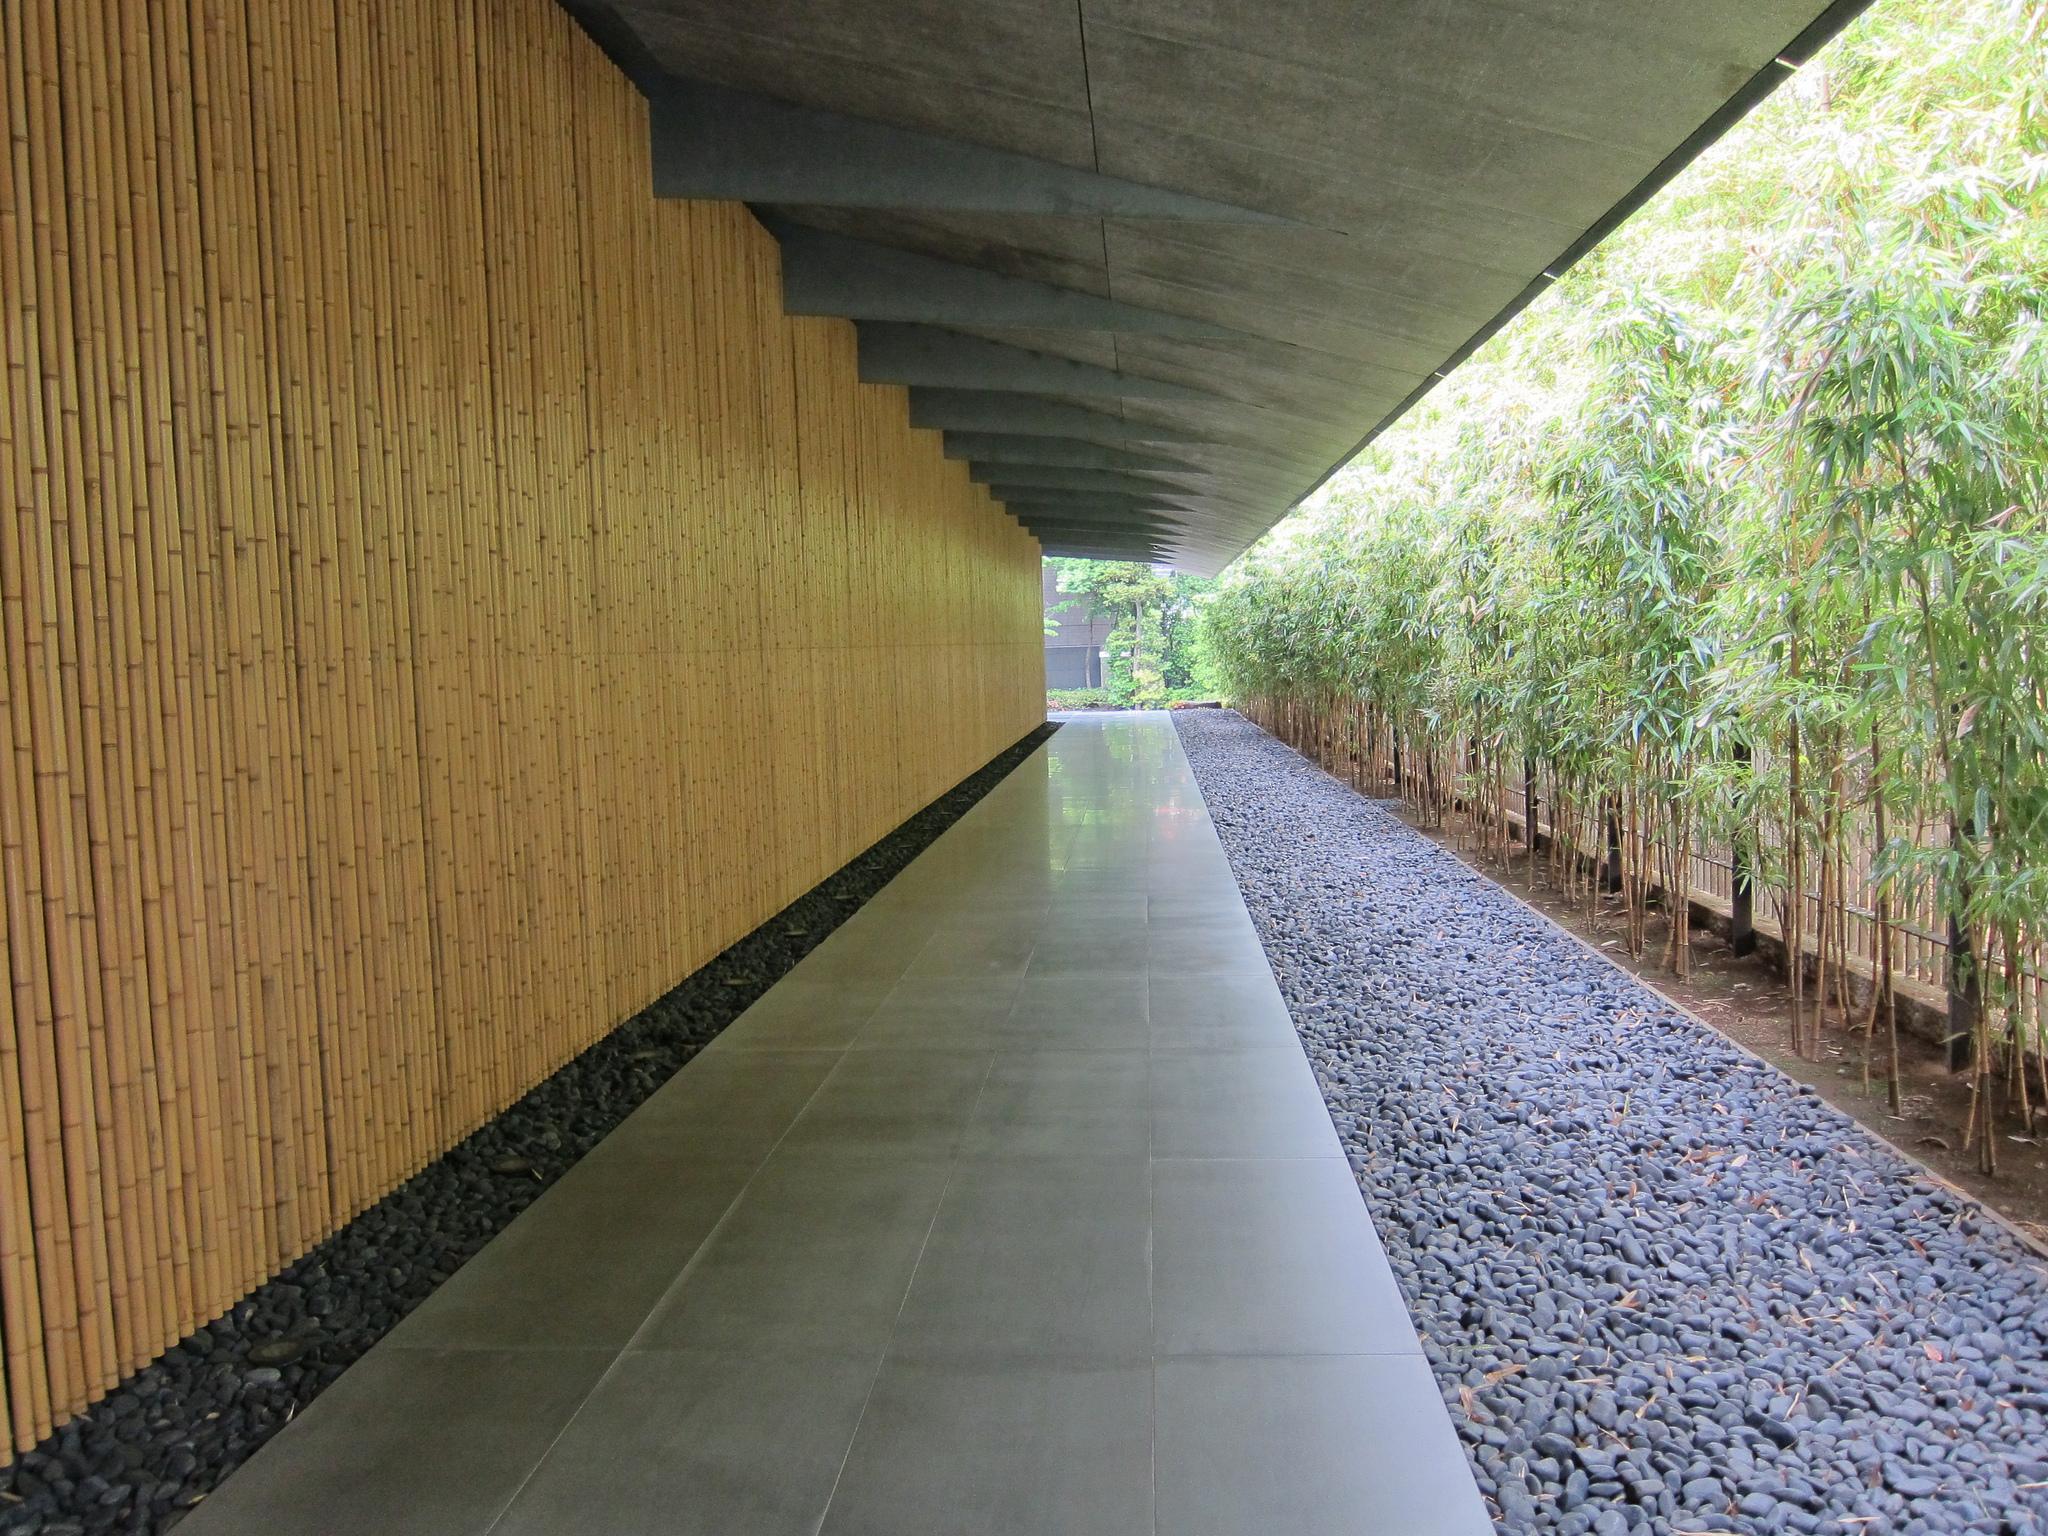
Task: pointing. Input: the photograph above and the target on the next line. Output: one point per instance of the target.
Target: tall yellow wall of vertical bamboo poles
(445, 603)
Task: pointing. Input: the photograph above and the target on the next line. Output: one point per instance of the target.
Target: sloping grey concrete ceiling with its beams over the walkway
(1203, 249)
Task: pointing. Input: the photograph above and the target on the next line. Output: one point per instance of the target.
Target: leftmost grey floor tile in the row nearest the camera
(409, 1443)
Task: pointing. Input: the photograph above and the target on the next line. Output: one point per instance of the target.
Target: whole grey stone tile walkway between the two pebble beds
(1015, 1209)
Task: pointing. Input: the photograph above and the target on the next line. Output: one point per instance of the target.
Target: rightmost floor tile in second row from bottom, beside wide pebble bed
(1271, 1258)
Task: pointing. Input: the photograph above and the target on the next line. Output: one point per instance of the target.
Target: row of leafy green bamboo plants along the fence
(1732, 554)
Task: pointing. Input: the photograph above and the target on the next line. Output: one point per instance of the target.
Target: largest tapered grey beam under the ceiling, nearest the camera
(718, 142)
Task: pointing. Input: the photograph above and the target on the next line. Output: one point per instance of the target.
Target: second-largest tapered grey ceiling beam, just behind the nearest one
(857, 280)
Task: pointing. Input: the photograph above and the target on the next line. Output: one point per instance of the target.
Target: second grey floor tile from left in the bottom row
(693, 1443)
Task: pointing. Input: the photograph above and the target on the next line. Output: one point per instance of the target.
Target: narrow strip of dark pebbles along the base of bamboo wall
(171, 1433)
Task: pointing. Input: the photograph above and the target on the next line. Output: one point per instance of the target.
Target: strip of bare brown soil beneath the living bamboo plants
(1748, 1000)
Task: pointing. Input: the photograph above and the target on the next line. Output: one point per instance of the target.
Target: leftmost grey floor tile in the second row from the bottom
(587, 1265)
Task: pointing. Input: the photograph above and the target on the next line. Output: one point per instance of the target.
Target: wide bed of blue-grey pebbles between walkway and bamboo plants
(1664, 1287)
